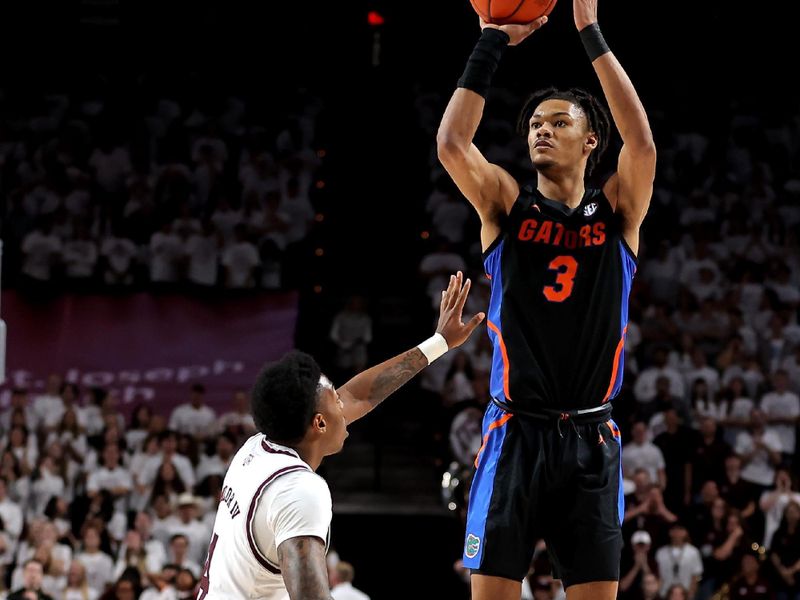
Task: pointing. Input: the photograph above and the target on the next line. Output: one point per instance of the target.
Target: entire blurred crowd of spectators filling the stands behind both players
(94, 505)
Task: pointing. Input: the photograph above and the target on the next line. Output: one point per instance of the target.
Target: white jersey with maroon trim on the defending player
(268, 496)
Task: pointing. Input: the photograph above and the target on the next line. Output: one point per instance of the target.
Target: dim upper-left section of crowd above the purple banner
(155, 192)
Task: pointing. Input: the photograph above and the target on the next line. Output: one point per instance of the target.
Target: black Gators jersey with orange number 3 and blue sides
(559, 304)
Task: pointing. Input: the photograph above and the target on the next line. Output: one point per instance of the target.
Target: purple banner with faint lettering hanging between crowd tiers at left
(145, 347)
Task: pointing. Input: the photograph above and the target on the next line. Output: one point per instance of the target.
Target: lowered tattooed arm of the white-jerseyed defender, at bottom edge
(304, 568)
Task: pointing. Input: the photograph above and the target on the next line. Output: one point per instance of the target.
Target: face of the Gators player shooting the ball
(558, 135)
